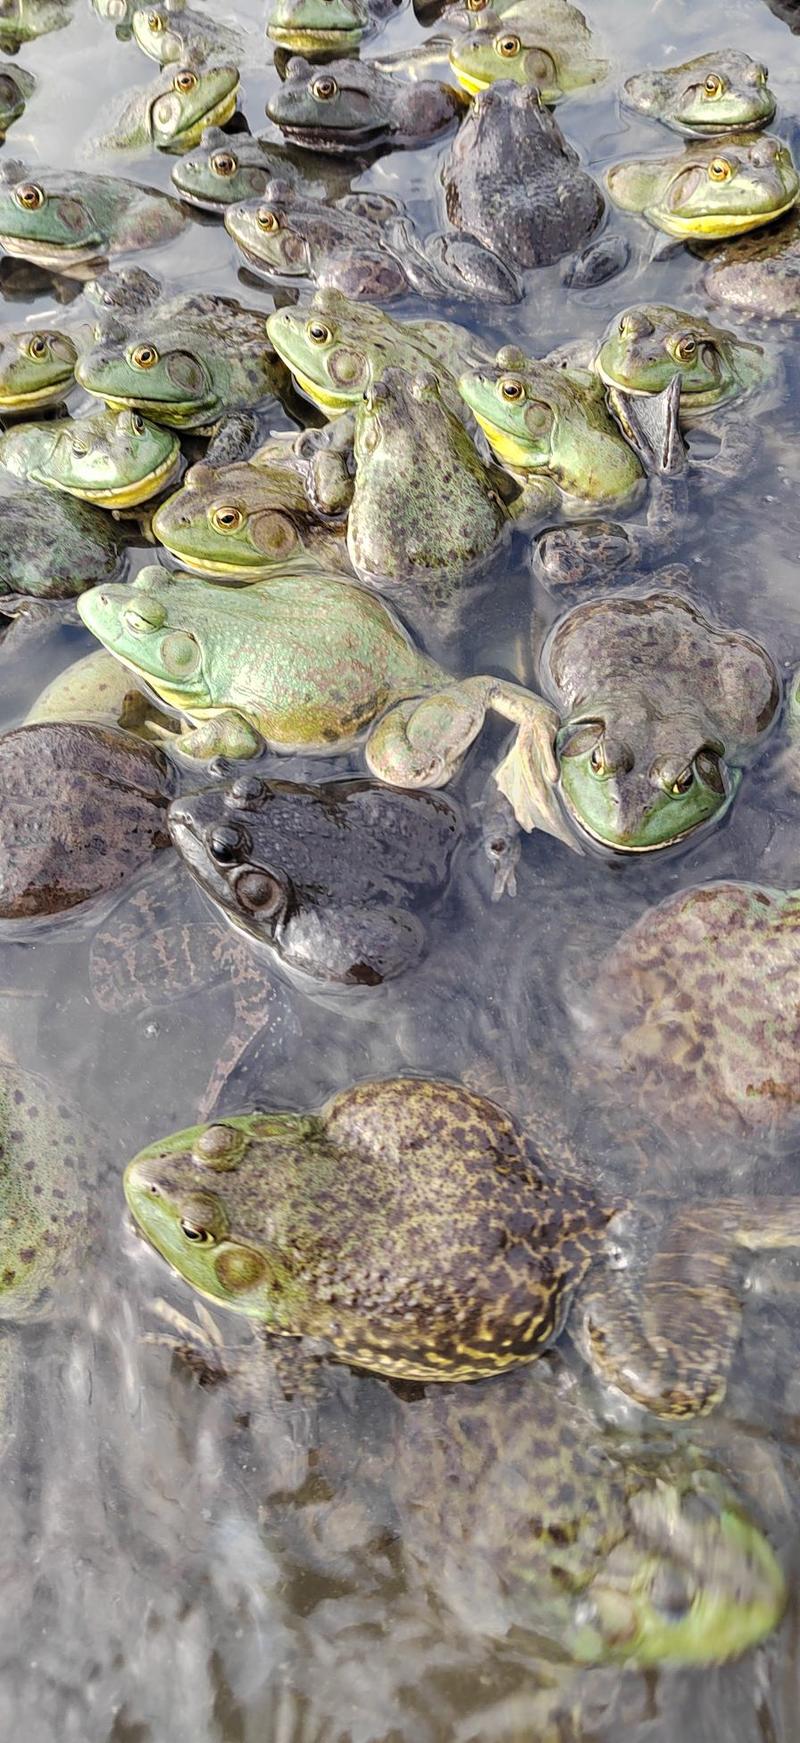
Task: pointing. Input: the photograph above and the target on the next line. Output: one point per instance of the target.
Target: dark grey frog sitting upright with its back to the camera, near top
(513, 182)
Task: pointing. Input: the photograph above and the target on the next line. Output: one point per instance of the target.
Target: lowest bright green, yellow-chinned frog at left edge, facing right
(114, 459)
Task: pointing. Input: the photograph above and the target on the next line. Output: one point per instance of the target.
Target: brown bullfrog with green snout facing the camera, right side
(658, 710)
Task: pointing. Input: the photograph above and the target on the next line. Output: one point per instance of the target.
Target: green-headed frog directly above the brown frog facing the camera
(646, 346)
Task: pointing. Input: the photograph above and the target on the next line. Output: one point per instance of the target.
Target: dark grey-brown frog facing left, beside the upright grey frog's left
(353, 107)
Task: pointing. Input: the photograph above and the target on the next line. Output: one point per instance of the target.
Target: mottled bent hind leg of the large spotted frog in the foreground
(672, 1348)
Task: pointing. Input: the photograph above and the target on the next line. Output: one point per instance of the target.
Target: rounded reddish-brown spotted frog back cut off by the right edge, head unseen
(696, 1012)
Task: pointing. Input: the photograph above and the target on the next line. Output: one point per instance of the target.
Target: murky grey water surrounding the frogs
(170, 1571)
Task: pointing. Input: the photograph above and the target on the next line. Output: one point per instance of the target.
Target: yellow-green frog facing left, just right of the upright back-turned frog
(553, 424)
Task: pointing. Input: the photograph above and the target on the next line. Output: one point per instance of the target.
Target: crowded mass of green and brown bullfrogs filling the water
(337, 505)
